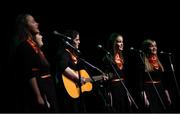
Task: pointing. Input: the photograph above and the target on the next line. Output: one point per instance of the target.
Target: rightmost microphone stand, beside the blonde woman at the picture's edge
(173, 72)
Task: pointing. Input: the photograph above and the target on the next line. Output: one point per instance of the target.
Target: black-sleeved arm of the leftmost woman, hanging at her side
(26, 57)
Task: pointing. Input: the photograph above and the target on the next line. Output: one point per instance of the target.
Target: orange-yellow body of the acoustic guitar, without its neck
(73, 88)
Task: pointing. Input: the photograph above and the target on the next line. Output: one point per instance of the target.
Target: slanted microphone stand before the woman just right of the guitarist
(111, 62)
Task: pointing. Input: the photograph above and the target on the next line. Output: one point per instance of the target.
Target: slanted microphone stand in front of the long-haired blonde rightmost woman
(149, 75)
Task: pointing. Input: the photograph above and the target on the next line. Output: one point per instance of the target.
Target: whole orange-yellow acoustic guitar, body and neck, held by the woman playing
(73, 88)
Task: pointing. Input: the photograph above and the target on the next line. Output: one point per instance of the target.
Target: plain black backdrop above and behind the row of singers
(95, 21)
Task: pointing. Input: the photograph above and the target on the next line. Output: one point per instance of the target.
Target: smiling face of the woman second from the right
(119, 43)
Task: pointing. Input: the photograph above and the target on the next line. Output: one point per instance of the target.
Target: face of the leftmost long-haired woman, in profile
(32, 24)
